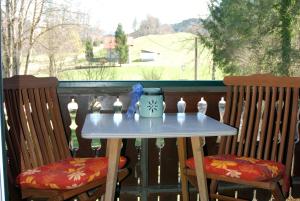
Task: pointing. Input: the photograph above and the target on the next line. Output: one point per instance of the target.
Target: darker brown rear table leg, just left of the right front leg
(181, 147)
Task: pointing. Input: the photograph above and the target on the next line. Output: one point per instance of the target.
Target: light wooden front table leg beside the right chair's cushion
(199, 168)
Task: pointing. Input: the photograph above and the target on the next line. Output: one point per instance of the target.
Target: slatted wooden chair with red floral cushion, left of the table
(37, 145)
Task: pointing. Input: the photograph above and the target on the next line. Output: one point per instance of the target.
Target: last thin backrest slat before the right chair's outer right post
(285, 123)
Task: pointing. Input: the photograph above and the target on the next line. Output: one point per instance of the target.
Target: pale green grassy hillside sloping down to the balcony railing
(175, 61)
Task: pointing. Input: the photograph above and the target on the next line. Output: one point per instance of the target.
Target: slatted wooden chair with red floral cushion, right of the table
(263, 108)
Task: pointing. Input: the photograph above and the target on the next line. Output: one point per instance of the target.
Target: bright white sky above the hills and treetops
(106, 14)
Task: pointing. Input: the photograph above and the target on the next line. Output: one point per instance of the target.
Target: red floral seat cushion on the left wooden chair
(67, 174)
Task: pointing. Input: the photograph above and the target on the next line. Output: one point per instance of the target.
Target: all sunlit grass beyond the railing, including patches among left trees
(175, 61)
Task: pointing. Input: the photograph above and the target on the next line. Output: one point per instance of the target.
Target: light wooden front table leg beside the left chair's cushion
(113, 161)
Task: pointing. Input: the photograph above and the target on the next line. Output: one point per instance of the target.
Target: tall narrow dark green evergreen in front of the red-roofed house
(121, 44)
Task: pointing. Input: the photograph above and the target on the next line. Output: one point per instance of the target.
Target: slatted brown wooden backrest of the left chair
(36, 134)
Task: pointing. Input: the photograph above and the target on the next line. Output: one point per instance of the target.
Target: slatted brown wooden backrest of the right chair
(261, 106)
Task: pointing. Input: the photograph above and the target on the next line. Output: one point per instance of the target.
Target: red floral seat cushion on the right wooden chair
(245, 168)
